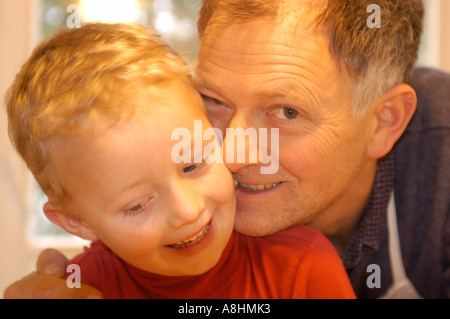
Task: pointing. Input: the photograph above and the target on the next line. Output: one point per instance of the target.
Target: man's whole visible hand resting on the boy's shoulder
(48, 282)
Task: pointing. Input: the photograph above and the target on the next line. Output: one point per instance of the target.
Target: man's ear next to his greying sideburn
(393, 114)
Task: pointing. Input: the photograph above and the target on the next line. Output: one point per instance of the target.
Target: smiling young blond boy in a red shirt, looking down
(92, 114)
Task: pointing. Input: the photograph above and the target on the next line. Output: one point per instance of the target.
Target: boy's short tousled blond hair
(76, 77)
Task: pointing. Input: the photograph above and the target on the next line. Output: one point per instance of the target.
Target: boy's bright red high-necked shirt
(296, 263)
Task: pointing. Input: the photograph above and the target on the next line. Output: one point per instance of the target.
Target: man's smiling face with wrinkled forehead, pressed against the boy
(258, 75)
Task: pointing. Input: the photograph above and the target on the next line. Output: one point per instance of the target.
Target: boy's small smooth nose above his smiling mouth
(186, 204)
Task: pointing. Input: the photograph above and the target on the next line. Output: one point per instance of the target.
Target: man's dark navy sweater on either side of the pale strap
(422, 193)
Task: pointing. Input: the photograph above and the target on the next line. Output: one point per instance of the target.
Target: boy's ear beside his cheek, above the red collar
(70, 224)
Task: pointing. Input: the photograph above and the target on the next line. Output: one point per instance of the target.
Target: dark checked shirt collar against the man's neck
(367, 237)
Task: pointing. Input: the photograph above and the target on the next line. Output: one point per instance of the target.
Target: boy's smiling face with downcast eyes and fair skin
(160, 216)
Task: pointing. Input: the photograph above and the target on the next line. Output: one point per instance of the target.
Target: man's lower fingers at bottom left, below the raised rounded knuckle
(35, 286)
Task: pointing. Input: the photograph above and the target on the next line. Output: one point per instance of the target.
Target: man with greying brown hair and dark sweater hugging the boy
(334, 85)
